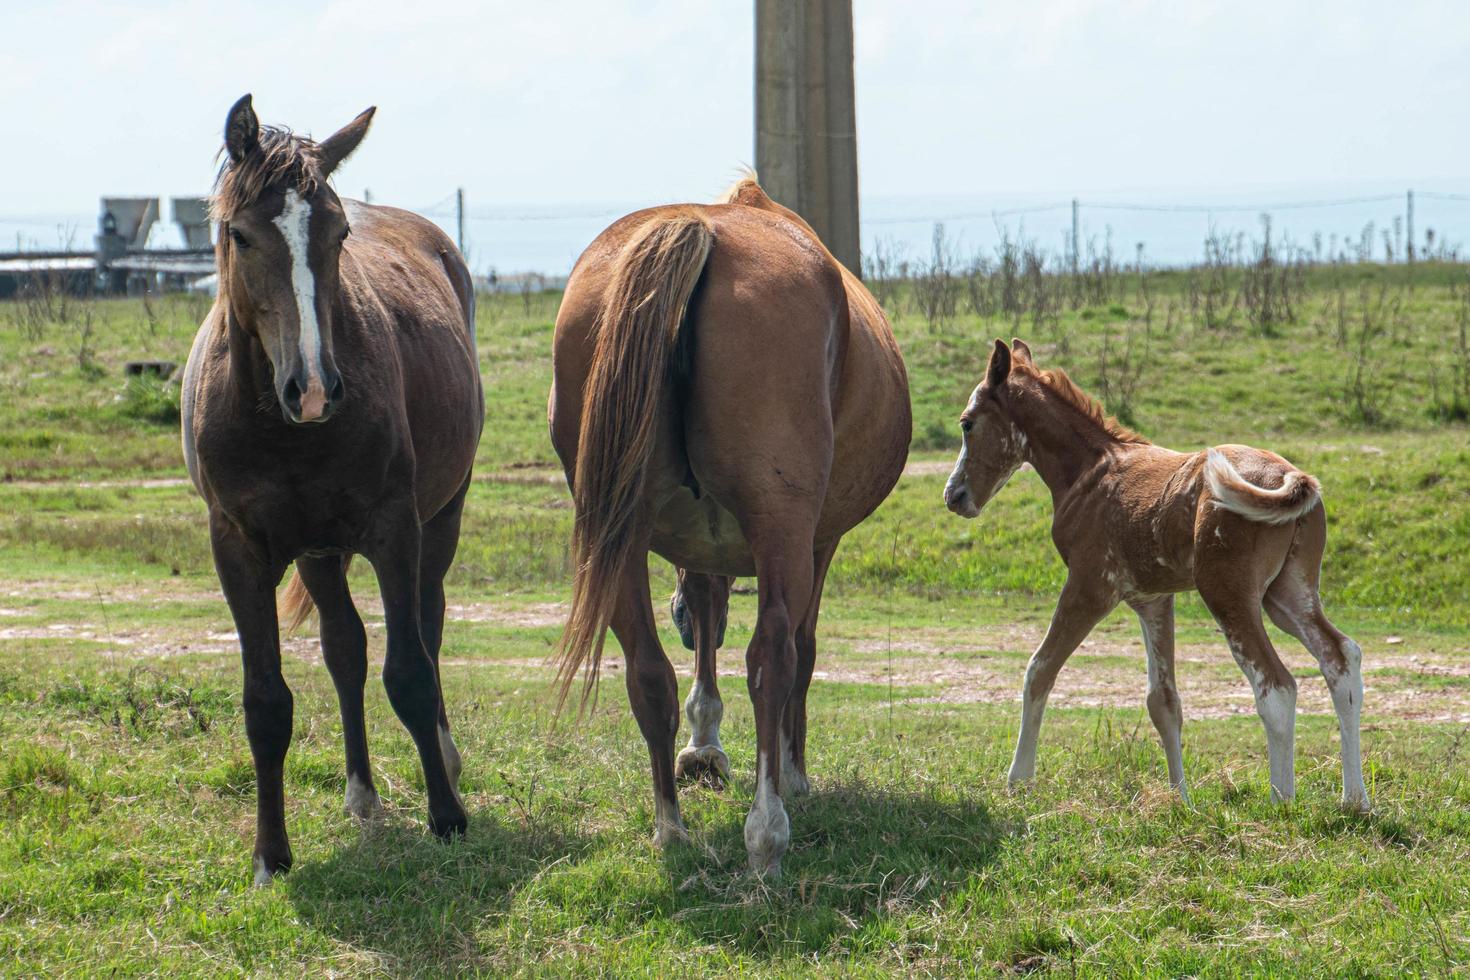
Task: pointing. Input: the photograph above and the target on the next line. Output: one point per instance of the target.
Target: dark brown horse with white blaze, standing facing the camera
(333, 408)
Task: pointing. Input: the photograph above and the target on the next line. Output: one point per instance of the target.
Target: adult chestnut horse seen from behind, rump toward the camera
(728, 396)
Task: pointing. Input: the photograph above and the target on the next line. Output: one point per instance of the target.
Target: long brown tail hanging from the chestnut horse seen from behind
(636, 340)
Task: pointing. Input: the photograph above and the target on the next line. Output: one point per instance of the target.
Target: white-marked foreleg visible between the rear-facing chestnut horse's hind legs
(706, 603)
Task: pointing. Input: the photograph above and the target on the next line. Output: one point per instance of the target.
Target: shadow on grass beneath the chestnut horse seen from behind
(862, 859)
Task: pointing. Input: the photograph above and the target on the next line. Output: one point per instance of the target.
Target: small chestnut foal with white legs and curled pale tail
(1137, 524)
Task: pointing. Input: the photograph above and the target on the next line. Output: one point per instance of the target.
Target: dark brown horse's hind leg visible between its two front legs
(345, 649)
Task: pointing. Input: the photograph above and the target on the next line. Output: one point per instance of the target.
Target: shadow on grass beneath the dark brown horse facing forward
(418, 901)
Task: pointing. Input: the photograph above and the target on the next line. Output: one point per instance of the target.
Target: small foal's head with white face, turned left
(993, 444)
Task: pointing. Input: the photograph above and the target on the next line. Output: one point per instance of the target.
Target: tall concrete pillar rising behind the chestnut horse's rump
(806, 117)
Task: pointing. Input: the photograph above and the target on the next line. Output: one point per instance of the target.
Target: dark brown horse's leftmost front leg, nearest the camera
(249, 581)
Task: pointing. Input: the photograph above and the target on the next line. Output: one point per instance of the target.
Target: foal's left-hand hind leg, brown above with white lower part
(1240, 618)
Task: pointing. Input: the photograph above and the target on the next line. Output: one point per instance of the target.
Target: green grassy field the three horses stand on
(127, 790)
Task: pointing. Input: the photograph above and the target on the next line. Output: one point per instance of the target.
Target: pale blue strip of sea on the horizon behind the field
(1171, 227)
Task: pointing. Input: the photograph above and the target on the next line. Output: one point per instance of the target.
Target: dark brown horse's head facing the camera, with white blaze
(280, 243)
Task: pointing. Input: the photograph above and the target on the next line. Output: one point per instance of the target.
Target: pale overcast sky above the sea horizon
(623, 101)
